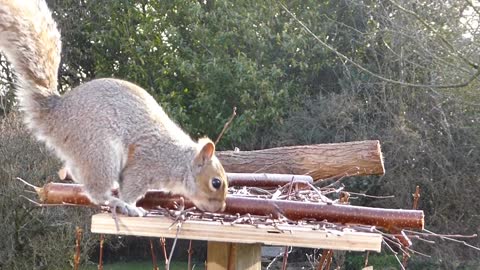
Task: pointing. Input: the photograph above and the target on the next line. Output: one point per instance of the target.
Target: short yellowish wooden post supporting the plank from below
(233, 256)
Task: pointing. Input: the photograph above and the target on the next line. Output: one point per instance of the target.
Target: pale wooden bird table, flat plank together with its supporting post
(238, 246)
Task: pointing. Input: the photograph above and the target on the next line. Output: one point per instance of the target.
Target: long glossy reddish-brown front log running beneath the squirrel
(391, 219)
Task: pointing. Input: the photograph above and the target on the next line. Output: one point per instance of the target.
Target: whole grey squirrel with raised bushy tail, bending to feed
(105, 130)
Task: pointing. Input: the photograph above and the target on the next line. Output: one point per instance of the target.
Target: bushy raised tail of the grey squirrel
(31, 42)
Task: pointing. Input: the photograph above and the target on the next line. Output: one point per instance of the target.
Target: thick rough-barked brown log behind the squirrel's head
(320, 161)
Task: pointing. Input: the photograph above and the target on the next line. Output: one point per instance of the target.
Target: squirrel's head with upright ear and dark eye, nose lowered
(210, 178)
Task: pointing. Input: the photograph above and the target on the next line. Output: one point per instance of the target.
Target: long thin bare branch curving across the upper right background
(378, 76)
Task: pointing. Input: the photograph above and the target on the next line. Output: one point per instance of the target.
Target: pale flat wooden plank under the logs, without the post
(298, 236)
